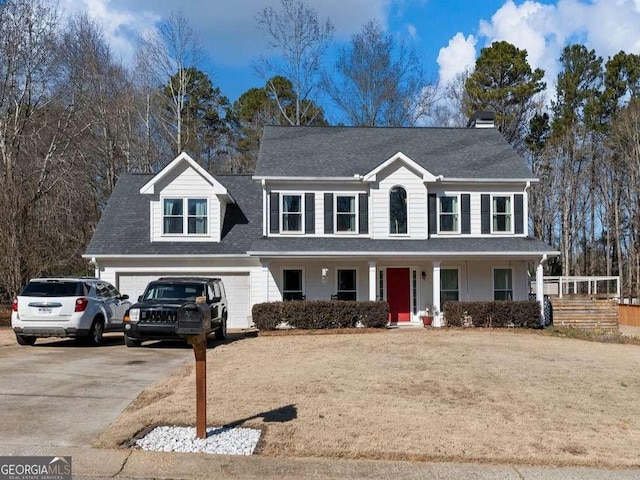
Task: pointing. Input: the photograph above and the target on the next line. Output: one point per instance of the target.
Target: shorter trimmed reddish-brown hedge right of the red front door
(523, 314)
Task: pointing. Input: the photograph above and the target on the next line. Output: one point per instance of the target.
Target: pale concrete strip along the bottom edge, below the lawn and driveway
(89, 463)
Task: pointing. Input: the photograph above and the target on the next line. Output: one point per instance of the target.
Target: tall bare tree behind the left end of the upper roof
(301, 40)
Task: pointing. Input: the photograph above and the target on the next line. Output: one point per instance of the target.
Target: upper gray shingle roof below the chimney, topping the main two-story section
(348, 151)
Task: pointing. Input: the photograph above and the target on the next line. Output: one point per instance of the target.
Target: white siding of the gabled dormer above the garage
(185, 182)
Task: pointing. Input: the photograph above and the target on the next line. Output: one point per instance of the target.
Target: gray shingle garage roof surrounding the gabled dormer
(124, 225)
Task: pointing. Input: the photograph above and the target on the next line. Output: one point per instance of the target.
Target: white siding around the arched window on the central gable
(398, 174)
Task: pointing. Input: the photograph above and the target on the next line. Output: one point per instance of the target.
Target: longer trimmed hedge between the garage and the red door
(318, 314)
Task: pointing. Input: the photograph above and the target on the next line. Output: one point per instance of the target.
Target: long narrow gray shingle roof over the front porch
(522, 247)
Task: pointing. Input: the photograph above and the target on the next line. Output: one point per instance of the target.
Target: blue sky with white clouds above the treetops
(448, 33)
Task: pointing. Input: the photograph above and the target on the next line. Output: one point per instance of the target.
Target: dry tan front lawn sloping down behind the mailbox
(484, 396)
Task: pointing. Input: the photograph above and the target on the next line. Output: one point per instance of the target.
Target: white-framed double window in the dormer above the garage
(185, 215)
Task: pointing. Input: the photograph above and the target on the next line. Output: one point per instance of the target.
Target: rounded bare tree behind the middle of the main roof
(379, 81)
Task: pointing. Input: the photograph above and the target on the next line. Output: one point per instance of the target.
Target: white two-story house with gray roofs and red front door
(413, 216)
